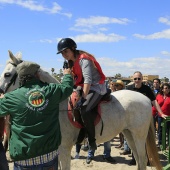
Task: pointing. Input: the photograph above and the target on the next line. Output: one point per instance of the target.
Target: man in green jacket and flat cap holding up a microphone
(34, 111)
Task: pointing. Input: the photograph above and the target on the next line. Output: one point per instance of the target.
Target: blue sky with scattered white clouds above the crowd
(124, 35)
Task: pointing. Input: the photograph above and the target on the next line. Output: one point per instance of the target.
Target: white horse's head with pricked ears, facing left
(8, 78)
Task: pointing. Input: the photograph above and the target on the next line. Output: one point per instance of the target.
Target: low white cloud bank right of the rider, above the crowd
(150, 65)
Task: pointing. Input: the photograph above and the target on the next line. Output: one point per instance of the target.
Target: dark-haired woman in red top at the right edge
(163, 99)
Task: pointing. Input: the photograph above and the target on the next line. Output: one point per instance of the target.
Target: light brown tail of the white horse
(151, 148)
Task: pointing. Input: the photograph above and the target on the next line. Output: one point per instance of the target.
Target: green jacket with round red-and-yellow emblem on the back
(34, 111)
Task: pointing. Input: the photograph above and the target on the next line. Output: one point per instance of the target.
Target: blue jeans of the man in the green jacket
(52, 165)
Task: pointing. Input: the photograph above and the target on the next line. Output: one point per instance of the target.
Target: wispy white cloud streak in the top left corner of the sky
(35, 6)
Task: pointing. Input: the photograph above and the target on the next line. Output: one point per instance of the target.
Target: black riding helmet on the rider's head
(65, 43)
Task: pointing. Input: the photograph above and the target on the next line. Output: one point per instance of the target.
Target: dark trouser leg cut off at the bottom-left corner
(3, 160)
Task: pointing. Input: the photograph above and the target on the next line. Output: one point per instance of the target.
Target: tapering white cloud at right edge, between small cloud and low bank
(165, 34)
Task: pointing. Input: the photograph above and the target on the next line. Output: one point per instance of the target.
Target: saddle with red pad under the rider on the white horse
(74, 114)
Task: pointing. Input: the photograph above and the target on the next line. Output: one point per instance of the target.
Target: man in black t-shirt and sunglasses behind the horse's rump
(138, 86)
